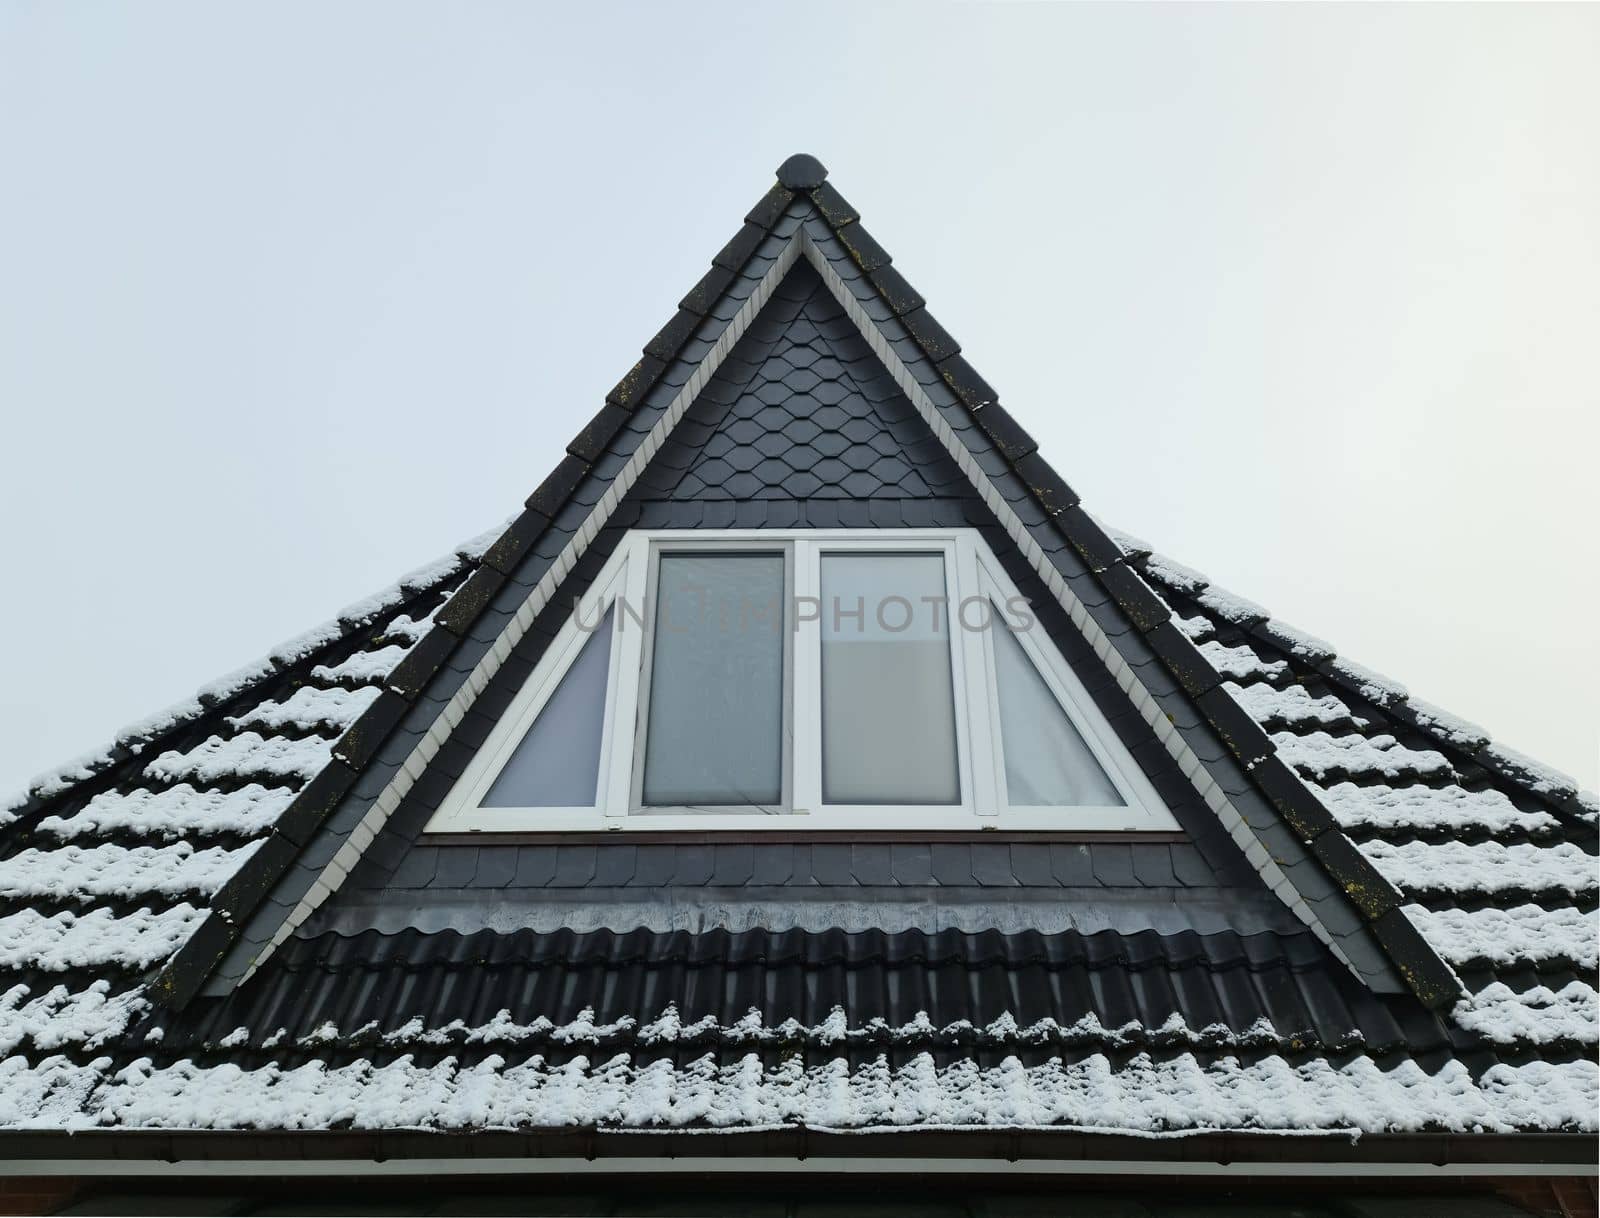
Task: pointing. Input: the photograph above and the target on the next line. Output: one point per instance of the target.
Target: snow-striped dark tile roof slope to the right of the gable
(1399, 775)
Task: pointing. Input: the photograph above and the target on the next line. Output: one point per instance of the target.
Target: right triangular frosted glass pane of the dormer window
(1047, 764)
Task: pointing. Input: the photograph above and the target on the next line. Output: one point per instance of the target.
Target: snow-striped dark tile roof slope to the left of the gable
(162, 830)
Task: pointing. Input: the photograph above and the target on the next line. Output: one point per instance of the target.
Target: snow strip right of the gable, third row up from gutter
(1526, 936)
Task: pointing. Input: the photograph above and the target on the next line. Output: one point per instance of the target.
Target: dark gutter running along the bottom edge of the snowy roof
(793, 1150)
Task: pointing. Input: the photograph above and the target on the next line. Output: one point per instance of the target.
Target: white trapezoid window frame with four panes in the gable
(625, 587)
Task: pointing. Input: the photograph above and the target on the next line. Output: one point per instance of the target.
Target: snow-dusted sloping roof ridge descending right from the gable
(1439, 726)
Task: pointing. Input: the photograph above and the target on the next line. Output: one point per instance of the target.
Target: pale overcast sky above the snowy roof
(297, 297)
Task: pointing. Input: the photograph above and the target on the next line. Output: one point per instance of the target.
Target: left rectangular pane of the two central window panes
(716, 732)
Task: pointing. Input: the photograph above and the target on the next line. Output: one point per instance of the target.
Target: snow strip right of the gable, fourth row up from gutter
(1486, 867)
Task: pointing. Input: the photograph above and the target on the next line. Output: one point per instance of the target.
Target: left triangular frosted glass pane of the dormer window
(558, 766)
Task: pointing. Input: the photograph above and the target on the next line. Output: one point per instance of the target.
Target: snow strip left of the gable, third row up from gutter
(60, 942)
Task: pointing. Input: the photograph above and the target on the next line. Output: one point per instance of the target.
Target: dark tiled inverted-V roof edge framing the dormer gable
(1282, 828)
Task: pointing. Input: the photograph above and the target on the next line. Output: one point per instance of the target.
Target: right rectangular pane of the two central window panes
(889, 708)
